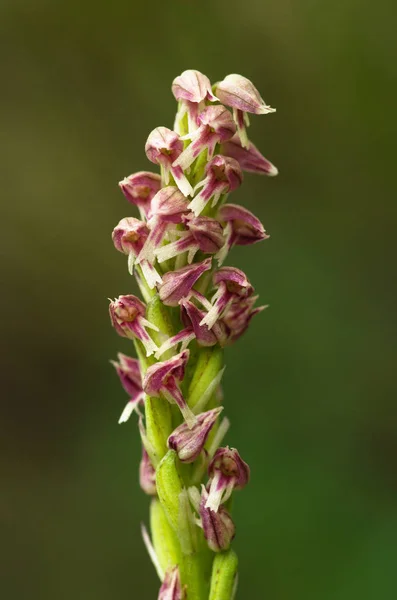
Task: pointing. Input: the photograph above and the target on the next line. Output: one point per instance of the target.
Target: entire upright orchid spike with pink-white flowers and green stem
(193, 306)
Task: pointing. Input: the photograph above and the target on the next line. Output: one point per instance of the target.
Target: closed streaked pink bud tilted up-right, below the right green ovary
(188, 443)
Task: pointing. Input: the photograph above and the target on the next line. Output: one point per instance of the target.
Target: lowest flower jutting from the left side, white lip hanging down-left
(129, 373)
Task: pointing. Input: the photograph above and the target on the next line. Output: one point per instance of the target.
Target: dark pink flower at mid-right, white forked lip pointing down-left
(231, 283)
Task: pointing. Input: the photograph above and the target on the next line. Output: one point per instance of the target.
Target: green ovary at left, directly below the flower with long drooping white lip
(158, 427)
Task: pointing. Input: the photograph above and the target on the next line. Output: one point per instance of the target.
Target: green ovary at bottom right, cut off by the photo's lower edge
(224, 576)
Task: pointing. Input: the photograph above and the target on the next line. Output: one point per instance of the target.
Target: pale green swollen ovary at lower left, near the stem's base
(164, 539)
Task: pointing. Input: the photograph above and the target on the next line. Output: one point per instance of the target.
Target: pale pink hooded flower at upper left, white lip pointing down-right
(163, 147)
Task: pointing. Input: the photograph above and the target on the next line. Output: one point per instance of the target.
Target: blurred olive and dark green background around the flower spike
(310, 389)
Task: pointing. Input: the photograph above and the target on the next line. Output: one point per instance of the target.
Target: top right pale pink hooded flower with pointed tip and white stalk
(241, 95)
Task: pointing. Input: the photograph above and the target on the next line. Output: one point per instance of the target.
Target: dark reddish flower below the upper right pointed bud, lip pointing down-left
(223, 175)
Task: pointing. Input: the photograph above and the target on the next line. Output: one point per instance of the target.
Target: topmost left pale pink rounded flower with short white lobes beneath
(192, 89)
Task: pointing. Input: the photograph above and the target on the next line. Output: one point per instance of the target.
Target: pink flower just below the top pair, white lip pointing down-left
(216, 126)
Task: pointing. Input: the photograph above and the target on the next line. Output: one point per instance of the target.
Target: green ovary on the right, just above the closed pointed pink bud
(209, 362)
